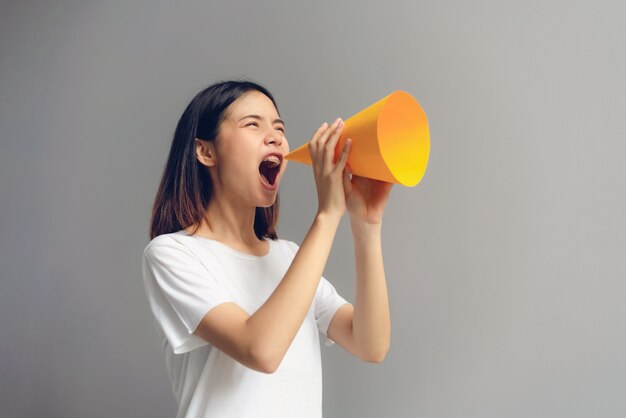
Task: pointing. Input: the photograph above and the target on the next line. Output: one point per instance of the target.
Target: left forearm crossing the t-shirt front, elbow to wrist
(275, 324)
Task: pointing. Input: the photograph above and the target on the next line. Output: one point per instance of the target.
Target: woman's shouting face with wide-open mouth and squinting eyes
(249, 151)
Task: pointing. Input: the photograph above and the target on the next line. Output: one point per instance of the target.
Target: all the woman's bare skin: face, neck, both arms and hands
(261, 340)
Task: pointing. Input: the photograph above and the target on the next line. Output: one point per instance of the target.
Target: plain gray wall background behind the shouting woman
(506, 265)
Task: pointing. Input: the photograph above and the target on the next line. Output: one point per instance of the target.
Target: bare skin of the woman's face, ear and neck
(233, 163)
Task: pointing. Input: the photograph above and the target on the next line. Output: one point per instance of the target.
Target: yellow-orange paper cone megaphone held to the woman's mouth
(390, 141)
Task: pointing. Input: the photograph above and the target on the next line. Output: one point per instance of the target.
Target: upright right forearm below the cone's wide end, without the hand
(371, 319)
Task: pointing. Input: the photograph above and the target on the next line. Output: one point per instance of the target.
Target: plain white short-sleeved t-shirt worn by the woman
(186, 276)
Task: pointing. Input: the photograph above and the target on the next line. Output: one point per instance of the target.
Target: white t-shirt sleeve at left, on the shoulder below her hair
(180, 290)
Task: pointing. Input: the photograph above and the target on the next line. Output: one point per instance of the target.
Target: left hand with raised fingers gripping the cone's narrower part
(329, 176)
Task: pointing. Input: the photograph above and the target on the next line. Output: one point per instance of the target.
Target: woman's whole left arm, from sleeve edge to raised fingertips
(261, 340)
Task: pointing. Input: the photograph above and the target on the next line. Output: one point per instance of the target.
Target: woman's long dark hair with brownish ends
(186, 188)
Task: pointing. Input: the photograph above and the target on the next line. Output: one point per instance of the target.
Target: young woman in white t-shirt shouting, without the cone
(238, 310)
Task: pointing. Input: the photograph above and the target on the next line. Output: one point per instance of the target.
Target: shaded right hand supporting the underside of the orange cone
(365, 198)
